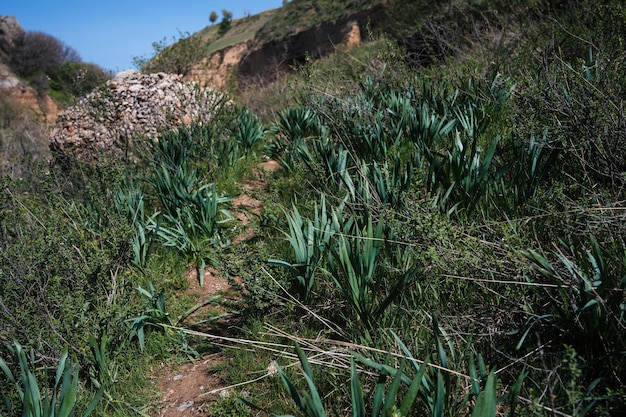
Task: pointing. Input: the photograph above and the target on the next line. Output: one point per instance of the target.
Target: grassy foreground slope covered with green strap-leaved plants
(445, 236)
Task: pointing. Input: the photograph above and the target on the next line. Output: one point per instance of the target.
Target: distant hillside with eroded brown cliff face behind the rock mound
(257, 49)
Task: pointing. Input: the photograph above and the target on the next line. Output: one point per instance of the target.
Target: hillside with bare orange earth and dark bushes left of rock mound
(39, 76)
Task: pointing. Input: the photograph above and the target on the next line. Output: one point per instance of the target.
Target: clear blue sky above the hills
(111, 32)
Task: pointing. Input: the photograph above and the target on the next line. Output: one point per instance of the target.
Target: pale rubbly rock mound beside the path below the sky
(128, 107)
